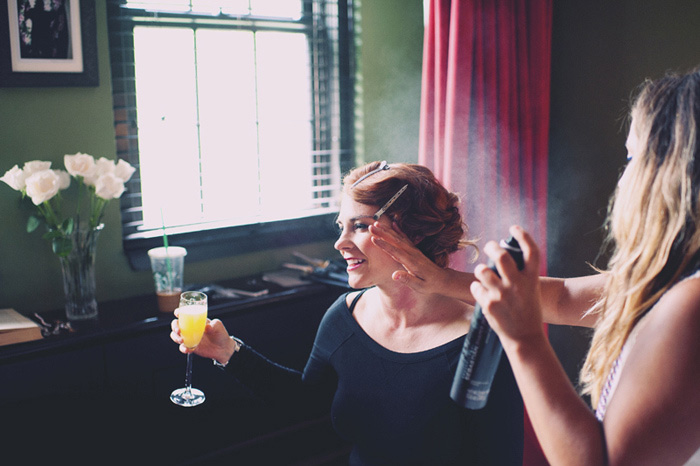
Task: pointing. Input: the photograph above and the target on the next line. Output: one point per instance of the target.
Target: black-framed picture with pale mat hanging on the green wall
(48, 43)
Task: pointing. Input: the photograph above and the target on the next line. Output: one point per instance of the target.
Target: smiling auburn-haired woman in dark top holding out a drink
(385, 355)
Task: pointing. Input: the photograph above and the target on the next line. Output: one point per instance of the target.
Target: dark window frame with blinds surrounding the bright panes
(207, 244)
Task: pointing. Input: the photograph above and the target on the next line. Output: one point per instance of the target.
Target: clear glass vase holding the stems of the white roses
(78, 269)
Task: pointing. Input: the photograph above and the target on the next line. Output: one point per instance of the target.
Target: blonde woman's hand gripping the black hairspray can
(511, 303)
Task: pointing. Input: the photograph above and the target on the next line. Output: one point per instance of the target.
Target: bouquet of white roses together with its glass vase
(73, 235)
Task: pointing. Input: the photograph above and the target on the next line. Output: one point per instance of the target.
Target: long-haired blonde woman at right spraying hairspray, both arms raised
(643, 368)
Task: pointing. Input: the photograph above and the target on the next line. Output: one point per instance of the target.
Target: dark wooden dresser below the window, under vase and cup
(100, 395)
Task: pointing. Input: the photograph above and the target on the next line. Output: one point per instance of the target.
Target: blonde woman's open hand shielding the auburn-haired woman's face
(420, 273)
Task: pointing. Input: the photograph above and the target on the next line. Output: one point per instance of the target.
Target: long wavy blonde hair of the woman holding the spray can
(653, 218)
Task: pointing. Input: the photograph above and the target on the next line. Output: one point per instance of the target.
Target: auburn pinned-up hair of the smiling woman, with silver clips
(426, 212)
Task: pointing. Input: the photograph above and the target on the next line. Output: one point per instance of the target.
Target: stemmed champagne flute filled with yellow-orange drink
(192, 318)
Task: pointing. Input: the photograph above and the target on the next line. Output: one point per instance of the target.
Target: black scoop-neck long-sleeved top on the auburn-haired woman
(395, 408)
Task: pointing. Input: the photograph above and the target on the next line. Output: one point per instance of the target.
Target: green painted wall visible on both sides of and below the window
(46, 123)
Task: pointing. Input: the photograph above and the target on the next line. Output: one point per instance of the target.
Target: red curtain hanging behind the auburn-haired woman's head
(484, 122)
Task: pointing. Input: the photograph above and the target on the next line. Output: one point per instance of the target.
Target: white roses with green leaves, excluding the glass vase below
(98, 182)
